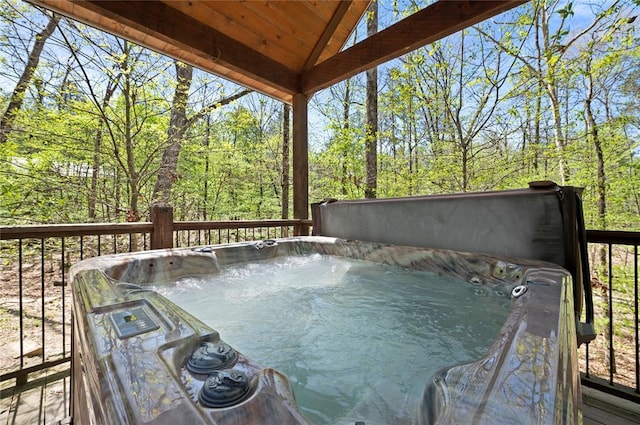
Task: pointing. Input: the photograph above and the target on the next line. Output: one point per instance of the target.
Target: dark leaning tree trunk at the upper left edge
(17, 97)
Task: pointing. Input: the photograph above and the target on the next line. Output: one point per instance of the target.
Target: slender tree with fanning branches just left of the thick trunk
(131, 123)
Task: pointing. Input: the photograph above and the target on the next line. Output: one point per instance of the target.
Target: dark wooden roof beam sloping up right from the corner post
(430, 24)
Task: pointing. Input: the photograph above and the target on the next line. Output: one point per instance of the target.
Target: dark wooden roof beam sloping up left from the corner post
(184, 32)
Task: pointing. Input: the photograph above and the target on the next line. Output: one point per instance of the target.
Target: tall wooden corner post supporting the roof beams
(300, 162)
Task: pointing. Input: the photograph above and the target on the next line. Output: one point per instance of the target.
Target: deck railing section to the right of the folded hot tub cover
(611, 363)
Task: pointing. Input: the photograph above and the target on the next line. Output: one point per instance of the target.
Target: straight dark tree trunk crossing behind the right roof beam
(371, 126)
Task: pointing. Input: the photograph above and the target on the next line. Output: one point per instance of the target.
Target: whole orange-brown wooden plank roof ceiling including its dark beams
(277, 47)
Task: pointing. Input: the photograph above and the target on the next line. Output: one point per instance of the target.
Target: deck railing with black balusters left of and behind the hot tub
(35, 301)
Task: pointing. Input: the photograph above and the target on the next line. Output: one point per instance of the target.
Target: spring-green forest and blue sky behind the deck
(97, 129)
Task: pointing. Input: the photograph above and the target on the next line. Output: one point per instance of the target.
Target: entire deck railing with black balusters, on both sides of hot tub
(35, 307)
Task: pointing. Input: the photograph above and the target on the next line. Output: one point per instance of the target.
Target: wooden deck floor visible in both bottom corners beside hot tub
(45, 400)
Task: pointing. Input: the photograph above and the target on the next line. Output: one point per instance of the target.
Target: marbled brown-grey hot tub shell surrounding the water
(139, 358)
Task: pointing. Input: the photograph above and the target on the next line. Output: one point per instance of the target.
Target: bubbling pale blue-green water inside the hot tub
(358, 340)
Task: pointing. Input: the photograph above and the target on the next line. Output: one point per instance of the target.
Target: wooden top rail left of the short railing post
(64, 230)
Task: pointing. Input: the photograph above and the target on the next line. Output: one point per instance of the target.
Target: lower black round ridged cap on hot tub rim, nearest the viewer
(224, 388)
